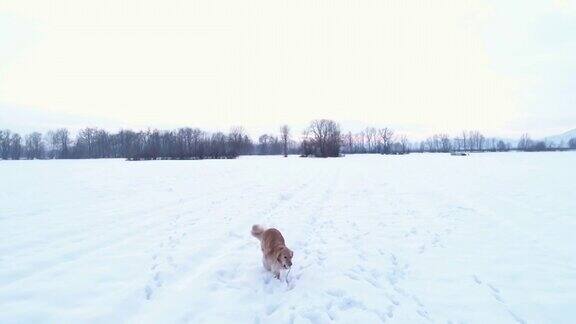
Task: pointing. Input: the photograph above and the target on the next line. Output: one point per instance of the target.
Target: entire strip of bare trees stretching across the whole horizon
(323, 138)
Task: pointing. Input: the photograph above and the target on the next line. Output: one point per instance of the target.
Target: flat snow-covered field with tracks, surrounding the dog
(489, 238)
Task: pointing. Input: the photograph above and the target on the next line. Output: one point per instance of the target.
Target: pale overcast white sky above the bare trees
(502, 67)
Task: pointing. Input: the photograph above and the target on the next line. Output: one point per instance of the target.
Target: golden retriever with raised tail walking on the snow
(275, 255)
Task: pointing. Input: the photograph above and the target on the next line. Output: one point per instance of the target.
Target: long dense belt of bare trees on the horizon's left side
(94, 143)
